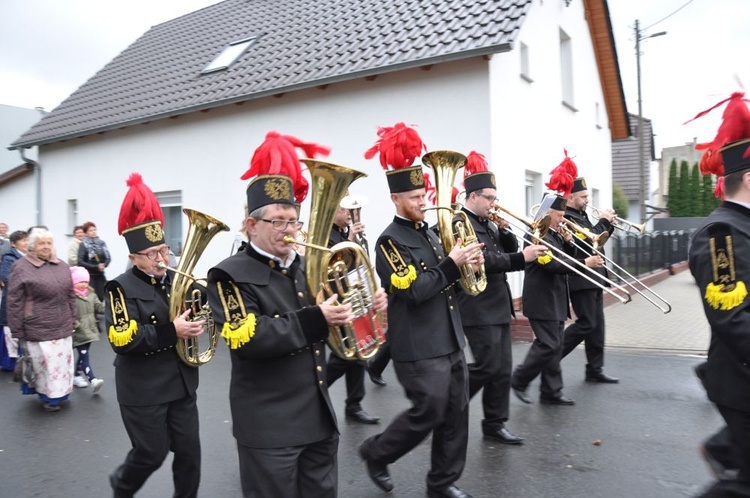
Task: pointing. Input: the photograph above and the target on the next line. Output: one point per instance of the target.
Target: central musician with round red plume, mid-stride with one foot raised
(426, 336)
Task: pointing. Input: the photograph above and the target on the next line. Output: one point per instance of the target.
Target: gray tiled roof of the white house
(301, 44)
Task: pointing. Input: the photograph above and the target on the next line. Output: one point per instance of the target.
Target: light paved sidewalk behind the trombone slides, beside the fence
(639, 325)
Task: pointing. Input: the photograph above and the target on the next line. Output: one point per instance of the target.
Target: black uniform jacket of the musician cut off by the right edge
(728, 370)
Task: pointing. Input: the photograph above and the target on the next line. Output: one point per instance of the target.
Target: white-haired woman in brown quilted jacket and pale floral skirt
(41, 314)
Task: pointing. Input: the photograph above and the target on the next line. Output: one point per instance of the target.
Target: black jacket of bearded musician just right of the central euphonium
(494, 306)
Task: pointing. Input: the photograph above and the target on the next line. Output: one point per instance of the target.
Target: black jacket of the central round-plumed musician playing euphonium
(424, 321)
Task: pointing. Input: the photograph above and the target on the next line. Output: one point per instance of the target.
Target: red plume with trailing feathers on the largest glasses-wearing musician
(277, 156)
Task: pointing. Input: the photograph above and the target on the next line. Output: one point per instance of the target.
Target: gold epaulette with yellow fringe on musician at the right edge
(725, 292)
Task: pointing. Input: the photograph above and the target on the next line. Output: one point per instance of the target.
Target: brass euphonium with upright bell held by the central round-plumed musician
(445, 164)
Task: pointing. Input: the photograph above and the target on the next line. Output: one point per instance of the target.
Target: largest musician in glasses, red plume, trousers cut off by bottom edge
(283, 421)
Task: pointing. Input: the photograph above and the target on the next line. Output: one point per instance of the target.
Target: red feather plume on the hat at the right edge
(735, 126)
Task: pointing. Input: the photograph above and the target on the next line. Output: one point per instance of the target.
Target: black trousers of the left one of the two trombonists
(543, 358)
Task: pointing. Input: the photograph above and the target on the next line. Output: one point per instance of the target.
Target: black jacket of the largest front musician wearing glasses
(278, 392)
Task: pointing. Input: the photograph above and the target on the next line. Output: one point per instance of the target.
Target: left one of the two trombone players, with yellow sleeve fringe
(545, 304)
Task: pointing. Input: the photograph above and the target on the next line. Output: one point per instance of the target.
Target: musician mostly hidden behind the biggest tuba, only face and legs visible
(354, 370)
